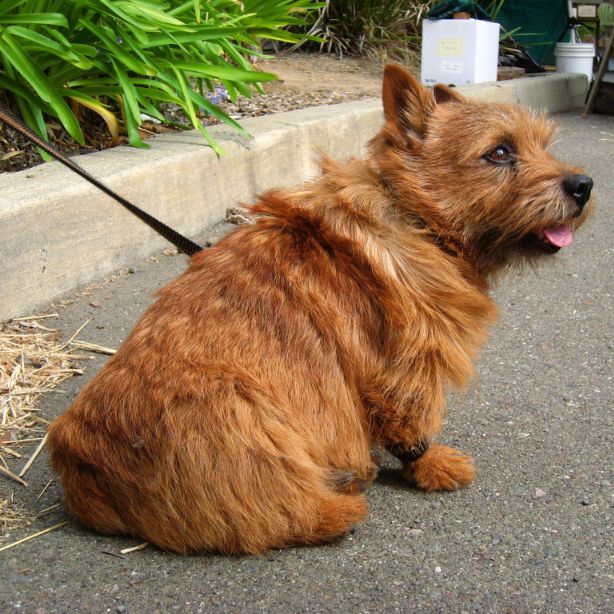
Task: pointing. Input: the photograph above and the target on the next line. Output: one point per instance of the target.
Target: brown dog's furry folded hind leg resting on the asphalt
(253, 487)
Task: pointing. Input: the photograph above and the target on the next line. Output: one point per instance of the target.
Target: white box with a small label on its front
(459, 51)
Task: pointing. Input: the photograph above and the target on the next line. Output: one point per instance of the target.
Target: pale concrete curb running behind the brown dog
(58, 232)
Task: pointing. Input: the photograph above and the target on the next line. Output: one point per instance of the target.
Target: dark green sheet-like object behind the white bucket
(542, 24)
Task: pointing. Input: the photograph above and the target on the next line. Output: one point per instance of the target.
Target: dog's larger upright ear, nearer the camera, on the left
(407, 103)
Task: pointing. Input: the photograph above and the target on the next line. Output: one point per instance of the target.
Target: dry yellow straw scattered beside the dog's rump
(33, 361)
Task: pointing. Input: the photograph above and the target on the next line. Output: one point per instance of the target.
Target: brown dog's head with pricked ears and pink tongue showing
(481, 173)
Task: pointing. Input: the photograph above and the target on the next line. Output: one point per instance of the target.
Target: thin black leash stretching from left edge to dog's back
(182, 243)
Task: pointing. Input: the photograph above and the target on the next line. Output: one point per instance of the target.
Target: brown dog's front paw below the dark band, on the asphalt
(440, 468)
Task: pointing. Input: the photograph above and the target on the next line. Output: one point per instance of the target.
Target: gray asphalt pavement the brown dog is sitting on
(533, 534)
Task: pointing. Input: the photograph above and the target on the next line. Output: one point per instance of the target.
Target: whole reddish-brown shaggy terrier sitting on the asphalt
(240, 413)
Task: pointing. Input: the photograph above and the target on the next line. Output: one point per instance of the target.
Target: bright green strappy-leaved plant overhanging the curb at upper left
(57, 55)
